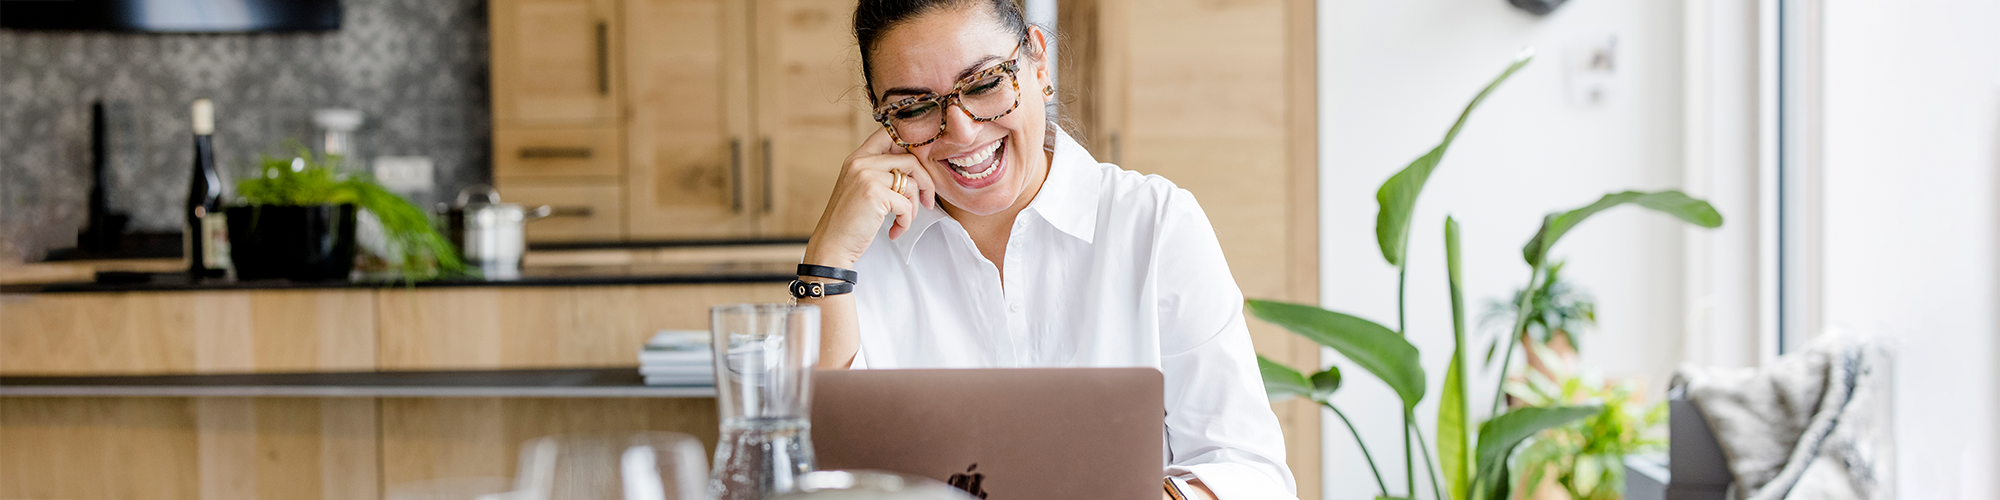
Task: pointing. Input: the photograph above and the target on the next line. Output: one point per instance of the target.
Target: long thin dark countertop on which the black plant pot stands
(729, 273)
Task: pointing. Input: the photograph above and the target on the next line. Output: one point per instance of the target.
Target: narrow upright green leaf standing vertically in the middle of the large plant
(1455, 437)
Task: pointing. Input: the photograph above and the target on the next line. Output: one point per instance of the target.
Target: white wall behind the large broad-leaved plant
(1393, 77)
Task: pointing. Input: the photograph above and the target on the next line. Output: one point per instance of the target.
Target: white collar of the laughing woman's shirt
(1067, 199)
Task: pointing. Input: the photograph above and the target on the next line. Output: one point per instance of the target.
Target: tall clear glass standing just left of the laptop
(763, 389)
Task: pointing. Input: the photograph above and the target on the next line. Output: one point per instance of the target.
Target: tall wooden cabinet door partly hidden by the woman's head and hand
(811, 109)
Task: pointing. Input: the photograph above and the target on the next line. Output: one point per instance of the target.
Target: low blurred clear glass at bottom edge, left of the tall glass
(613, 467)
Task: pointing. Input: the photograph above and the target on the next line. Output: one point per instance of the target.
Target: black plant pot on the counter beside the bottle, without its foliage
(293, 243)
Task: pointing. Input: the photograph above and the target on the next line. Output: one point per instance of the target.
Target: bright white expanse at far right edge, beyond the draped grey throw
(1913, 227)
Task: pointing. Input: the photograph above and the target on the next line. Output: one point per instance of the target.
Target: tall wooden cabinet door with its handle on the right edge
(689, 133)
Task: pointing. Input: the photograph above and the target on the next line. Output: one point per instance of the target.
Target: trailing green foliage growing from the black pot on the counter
(305, 181)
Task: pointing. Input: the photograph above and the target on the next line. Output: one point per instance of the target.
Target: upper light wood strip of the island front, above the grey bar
(345, 331)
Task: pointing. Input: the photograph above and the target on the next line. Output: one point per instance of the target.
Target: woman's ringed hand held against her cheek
(863, 199)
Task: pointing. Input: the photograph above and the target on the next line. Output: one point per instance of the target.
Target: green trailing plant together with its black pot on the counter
(297, 221)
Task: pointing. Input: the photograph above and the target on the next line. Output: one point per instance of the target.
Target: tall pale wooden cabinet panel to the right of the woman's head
(1227, 115)
